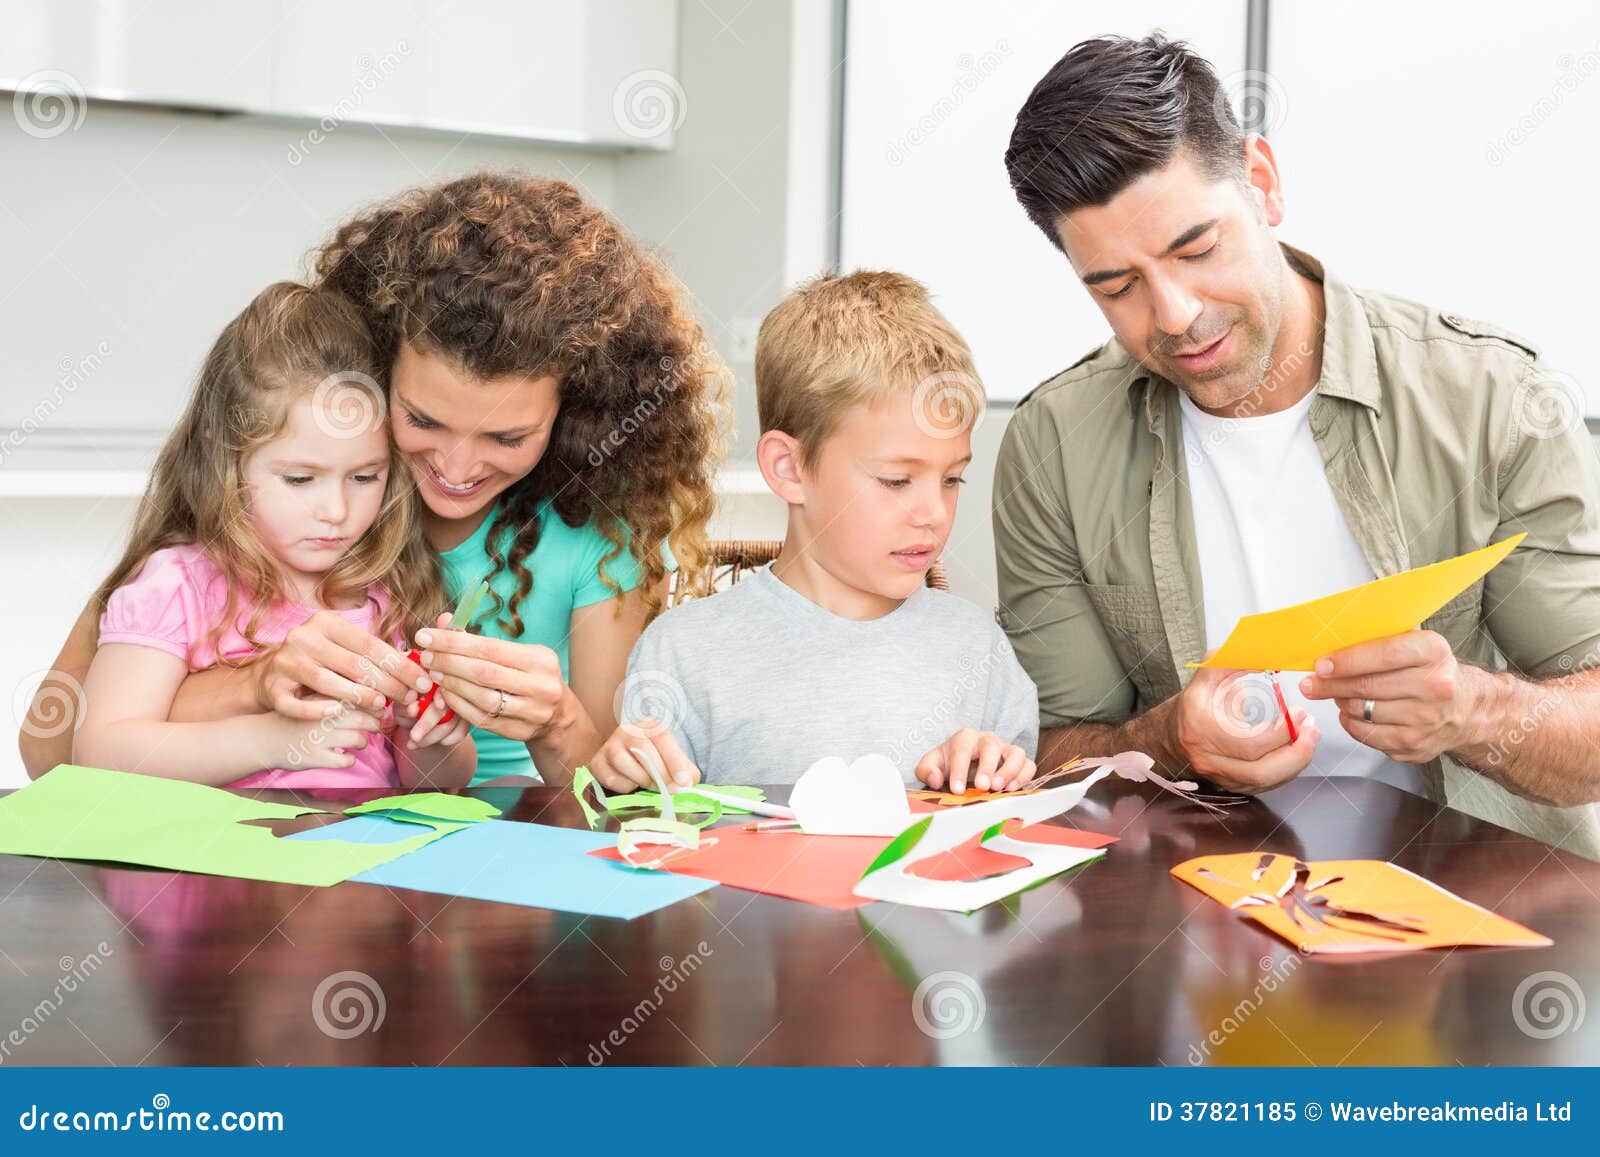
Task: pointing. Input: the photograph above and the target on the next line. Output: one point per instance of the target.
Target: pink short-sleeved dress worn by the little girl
(175, 603)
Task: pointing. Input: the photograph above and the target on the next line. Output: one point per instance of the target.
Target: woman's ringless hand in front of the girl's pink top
(327, 663)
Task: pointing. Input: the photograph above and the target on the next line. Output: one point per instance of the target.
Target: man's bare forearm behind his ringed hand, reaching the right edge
(1537, 740)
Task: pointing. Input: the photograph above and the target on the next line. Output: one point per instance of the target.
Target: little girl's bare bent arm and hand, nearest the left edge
(129, 694)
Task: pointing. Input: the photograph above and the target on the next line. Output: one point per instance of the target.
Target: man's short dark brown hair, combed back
(1111, 111)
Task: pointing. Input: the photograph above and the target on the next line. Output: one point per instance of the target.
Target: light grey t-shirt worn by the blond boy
(758, 683)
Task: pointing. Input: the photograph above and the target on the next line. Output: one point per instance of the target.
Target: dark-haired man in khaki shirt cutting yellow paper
(1260, 434)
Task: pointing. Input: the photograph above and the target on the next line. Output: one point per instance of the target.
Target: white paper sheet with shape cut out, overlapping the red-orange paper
(950, 828)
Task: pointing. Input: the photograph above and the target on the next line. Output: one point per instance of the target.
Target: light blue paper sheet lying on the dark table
(516, 863)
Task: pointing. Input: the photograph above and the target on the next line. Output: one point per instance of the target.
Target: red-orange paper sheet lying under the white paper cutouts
(825, 870)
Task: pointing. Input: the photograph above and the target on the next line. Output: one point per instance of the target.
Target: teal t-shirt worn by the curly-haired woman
(566, 577)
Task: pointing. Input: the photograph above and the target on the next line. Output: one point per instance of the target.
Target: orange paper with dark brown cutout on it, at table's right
(1350, 905)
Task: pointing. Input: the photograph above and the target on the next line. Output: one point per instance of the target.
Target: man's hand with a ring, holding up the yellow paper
(1423, 702)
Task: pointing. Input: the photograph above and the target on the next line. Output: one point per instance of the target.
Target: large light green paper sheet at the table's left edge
(87, 814)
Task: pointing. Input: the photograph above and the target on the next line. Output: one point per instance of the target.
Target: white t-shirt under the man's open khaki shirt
(1271, 535)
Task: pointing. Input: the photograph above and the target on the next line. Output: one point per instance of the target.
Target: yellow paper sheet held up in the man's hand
(1295, 638)
